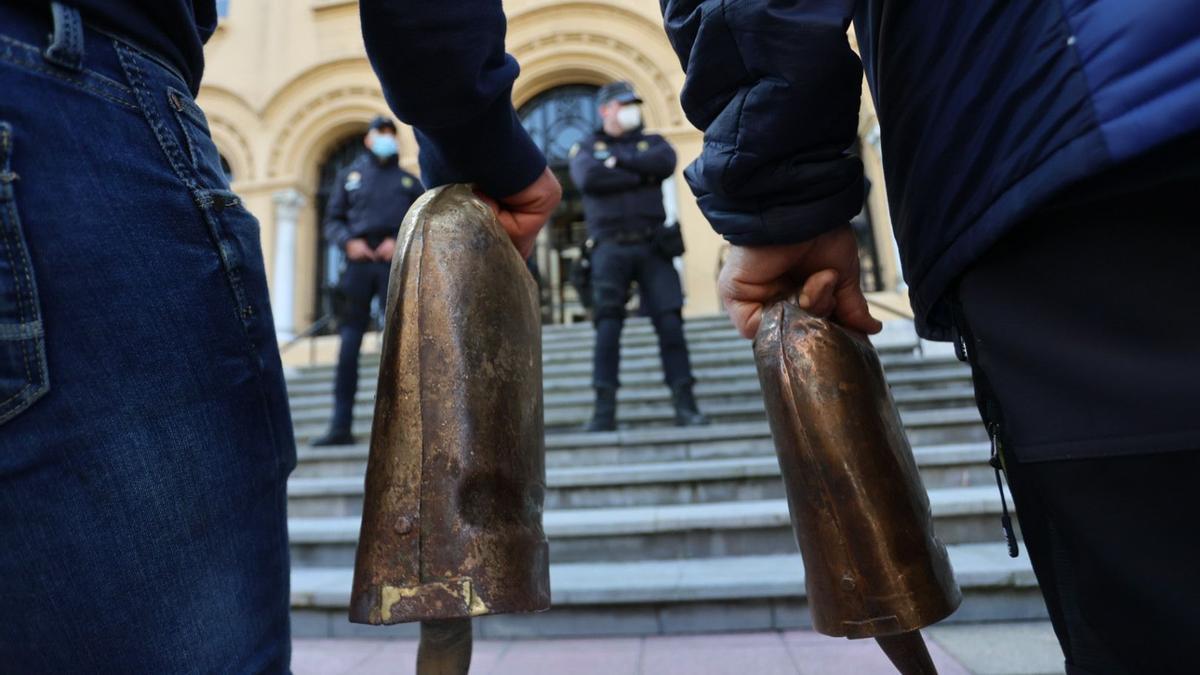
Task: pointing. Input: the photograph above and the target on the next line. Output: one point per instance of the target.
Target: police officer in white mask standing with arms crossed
(621, 171)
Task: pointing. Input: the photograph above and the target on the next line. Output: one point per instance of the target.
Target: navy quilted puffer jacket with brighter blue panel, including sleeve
(987, 111)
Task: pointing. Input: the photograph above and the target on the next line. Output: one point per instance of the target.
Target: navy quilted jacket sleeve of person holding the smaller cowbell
(776, 88)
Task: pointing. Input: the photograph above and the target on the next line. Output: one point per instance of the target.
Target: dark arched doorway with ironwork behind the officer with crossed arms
(559, 120)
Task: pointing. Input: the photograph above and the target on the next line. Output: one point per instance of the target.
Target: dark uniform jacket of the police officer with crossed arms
(629, 195)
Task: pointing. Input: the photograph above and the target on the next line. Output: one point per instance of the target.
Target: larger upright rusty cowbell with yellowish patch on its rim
(452, 523)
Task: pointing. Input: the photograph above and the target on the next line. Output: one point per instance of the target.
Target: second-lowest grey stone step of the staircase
(668, 533)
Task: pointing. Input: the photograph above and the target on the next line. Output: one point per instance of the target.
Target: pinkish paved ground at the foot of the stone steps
(998, 649)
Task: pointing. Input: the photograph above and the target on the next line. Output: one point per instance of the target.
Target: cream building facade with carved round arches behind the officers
(289, 93)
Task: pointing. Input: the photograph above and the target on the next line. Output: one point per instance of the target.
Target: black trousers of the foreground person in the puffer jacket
(1084, 334)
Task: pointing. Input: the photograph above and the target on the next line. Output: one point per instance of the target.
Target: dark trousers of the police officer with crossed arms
(615, 267)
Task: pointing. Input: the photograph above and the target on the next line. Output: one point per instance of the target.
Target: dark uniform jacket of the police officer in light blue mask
(370, 201)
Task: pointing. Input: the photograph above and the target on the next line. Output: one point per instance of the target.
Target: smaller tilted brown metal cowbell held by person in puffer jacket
(861, 515)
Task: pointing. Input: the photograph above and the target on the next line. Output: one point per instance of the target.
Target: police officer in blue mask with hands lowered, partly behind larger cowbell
(363, 218)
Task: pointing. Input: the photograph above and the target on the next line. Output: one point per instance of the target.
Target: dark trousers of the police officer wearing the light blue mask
(362, 283)
